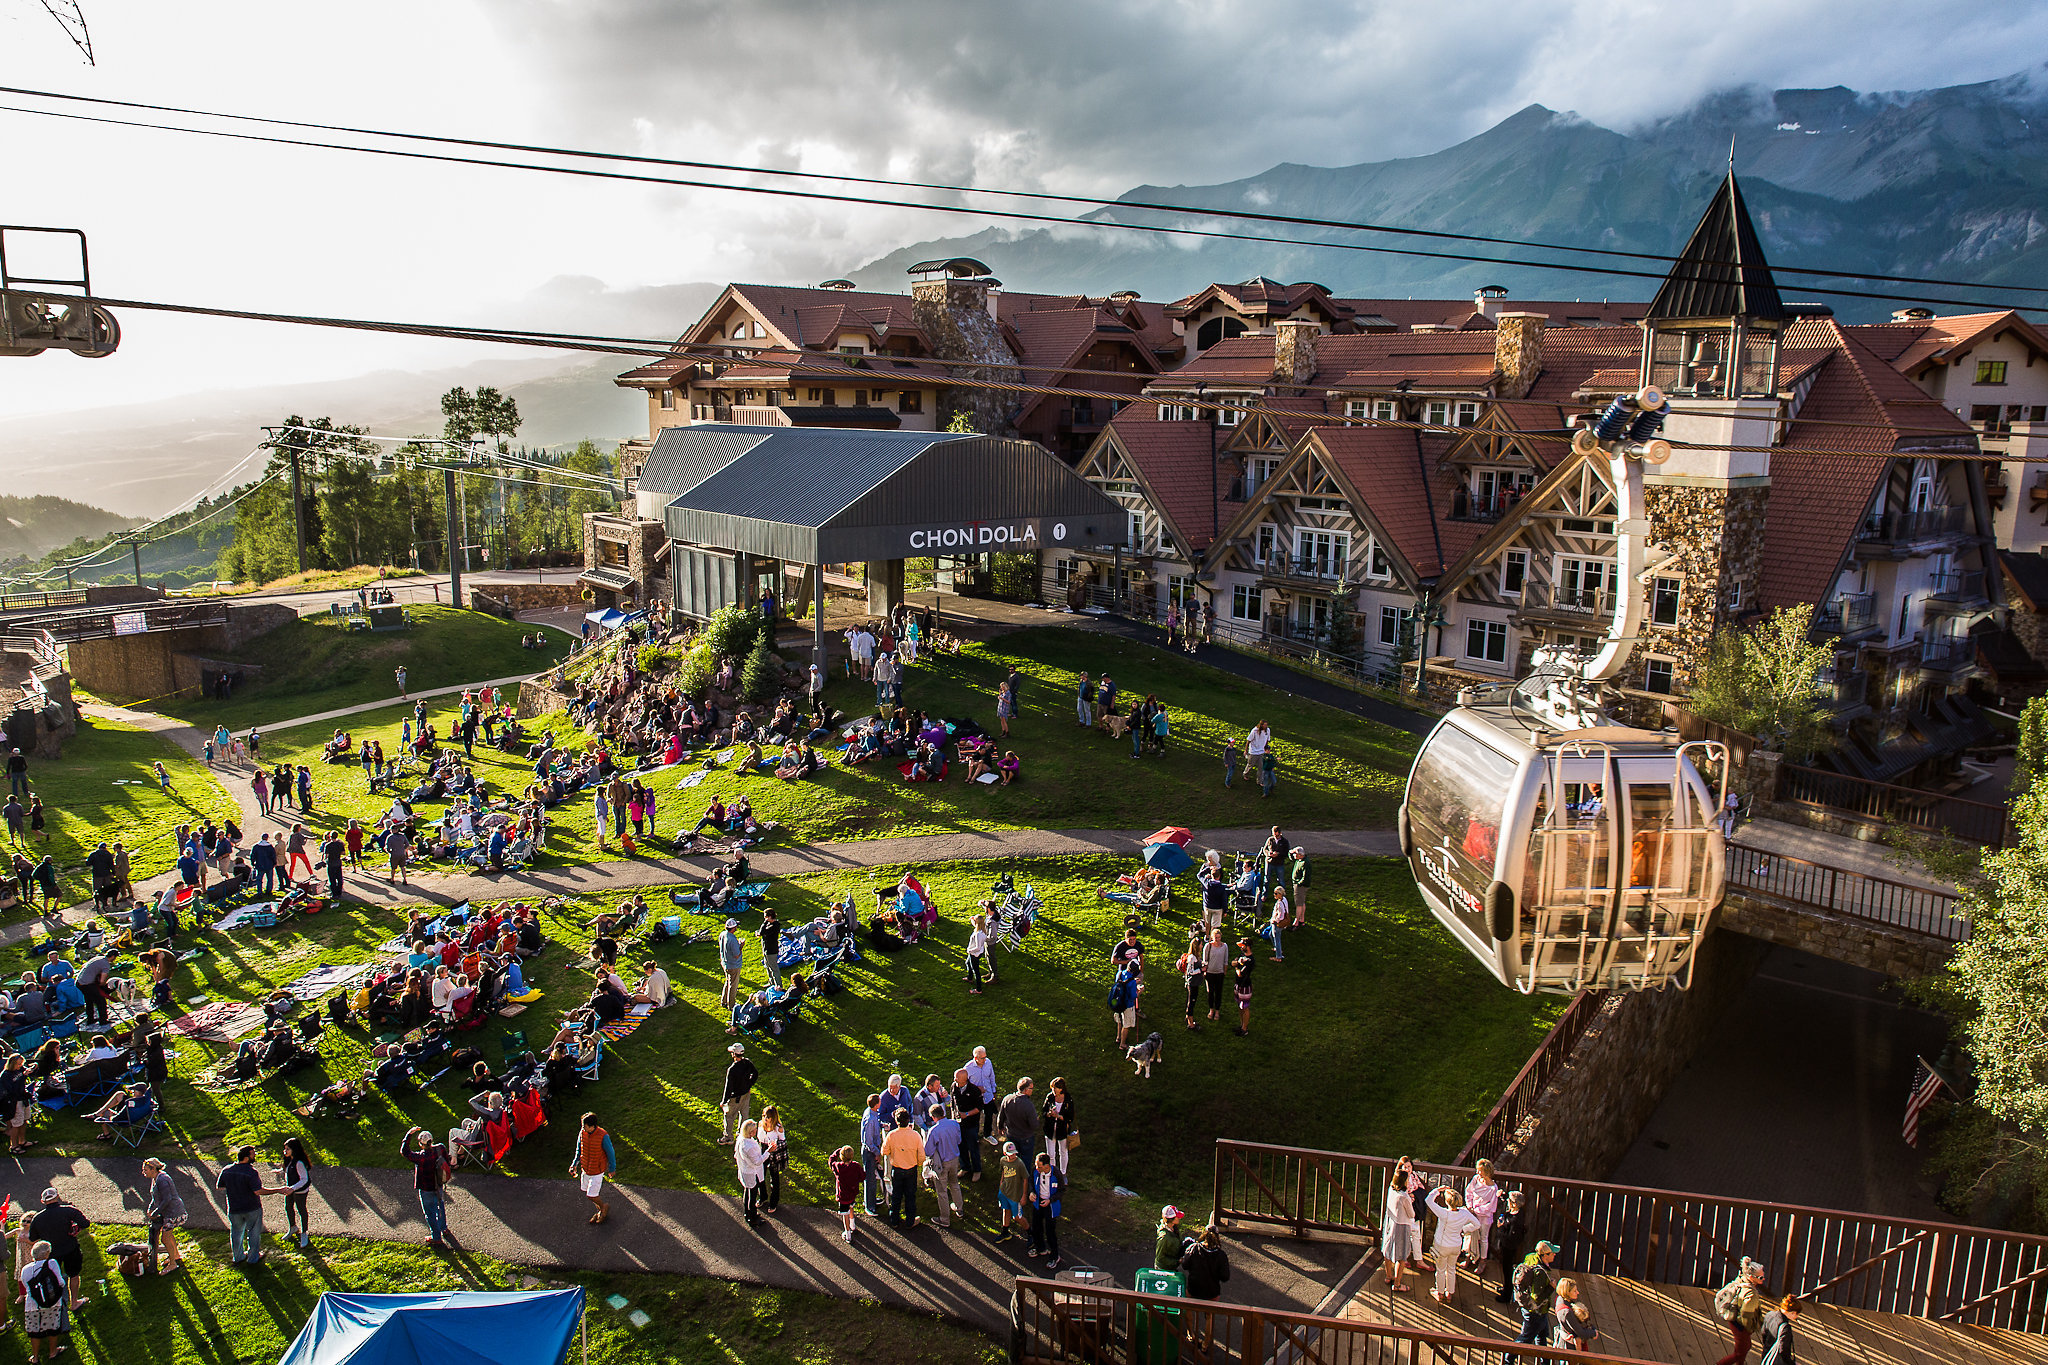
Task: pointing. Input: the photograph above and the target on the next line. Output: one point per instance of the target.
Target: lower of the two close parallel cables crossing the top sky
(972, 212)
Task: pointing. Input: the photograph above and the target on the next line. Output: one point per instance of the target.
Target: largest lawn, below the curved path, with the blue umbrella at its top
(1363, 985)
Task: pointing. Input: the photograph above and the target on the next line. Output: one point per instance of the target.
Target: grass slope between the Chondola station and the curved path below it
(1338, 773)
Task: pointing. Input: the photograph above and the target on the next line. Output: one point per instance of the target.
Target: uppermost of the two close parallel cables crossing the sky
(953, 189)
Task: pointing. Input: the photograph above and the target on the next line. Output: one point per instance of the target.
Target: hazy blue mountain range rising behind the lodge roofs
(1936, 183)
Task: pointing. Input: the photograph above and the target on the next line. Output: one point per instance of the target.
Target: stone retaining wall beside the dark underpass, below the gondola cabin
(1598, 1104)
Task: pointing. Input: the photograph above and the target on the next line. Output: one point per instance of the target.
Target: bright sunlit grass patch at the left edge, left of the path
(103, 789)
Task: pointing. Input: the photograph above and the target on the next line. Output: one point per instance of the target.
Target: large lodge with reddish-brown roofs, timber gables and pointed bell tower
(1289, 457)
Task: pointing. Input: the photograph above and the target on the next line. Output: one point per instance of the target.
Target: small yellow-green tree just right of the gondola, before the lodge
(1770, 682)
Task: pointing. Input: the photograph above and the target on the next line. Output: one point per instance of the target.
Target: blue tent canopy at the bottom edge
(447, 1329)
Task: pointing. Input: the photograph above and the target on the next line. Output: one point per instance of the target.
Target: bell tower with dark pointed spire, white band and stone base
(1711, 345)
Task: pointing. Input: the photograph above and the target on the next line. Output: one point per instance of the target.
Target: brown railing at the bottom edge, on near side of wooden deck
(1058, 1323)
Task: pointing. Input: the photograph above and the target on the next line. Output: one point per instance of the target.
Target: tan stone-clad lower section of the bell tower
(1717, 537)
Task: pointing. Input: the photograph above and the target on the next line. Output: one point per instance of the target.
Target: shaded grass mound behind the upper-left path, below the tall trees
(314, 666)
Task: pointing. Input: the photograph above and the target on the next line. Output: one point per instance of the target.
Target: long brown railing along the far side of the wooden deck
(1975, 1276)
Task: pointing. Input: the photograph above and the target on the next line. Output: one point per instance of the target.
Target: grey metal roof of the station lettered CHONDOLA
(828, 496)
